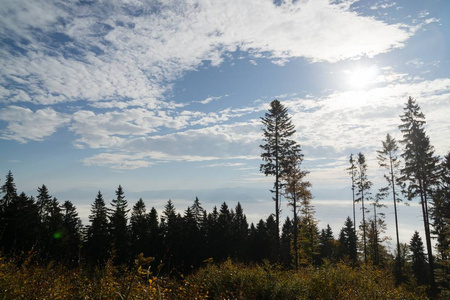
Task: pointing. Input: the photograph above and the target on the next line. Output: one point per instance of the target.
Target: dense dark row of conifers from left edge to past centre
(178, 241)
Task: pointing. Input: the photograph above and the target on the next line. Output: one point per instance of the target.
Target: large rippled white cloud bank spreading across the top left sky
(104, 53)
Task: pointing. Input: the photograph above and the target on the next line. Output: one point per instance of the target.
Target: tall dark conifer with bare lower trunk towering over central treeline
(278, 146)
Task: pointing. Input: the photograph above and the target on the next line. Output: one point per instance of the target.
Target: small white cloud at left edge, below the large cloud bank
(25, 125)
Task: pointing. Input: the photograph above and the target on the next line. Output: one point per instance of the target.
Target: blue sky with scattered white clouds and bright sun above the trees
(165, 97)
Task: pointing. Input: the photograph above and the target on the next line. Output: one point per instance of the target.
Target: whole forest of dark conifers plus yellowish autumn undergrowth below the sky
(130, 251)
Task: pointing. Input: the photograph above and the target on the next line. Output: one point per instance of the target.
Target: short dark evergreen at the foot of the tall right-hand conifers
(419, 263)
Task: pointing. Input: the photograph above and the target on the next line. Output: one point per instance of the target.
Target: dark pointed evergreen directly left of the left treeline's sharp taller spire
(98, 238)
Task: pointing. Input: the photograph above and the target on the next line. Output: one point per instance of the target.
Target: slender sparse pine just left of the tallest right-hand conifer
(388, 159)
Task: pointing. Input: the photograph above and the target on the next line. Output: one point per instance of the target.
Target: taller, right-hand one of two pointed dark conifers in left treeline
(118, 227)
